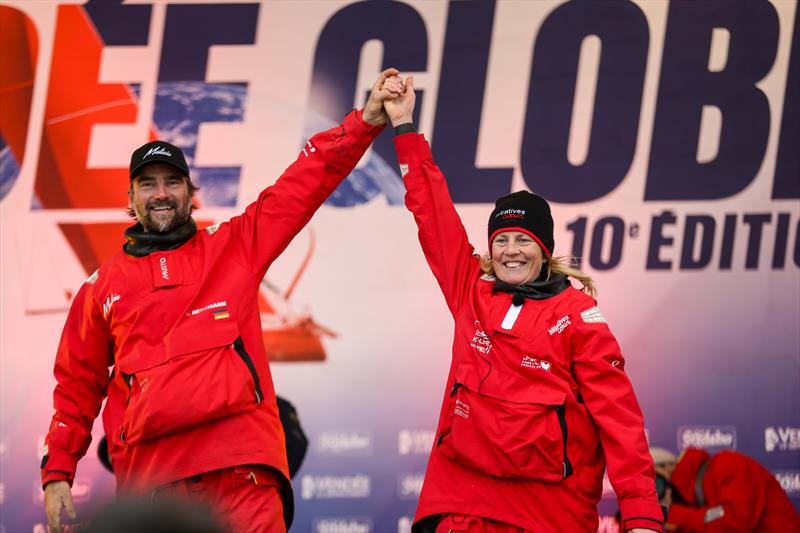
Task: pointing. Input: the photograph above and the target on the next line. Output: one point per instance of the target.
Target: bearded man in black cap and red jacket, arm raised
(191, 410)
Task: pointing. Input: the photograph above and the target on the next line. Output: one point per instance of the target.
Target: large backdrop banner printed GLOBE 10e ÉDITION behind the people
(664, 133)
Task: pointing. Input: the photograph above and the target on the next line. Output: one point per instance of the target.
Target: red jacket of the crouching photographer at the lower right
(737, 493)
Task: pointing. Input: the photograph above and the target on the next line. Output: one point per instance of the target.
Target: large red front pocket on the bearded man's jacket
(215, 380)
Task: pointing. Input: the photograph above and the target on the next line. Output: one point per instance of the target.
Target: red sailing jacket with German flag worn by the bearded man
(190, 390)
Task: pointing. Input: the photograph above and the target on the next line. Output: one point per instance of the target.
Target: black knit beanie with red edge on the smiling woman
(526, 212)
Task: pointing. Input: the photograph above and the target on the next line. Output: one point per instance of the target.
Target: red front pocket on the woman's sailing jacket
(509, 439)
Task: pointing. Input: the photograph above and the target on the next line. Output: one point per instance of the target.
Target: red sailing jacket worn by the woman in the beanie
(528, 403)
